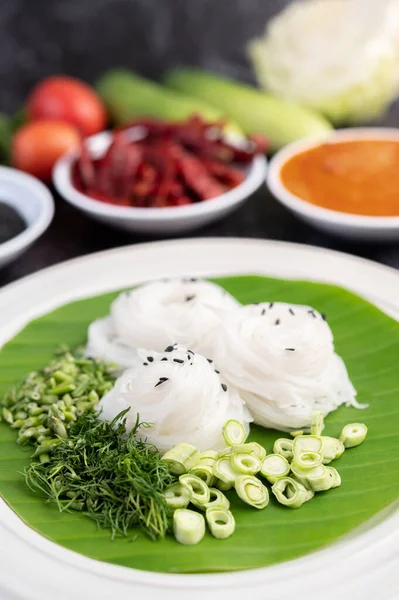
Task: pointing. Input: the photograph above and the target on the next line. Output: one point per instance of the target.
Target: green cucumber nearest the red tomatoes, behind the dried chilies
(129, 96)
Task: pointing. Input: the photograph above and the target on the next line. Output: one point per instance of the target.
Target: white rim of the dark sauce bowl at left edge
(43, 220)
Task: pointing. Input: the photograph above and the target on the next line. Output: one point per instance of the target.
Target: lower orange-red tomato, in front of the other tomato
(36, 146)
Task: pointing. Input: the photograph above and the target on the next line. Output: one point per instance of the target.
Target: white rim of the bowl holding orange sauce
(312, 211)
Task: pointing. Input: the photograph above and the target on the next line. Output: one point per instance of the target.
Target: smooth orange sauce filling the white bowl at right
(359, 177)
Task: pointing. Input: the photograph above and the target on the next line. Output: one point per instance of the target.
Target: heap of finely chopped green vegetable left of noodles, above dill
(42, 408)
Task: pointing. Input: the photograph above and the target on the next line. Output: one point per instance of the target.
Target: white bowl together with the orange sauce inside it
(345, 183)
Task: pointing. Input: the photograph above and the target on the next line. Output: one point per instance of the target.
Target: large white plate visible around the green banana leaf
(362, 565)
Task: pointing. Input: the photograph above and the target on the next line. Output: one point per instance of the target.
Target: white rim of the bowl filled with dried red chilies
(98, 143)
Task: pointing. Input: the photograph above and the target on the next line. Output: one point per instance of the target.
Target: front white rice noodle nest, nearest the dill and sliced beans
(181, 395)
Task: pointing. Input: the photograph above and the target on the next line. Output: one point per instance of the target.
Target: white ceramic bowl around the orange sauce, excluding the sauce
(357, 227)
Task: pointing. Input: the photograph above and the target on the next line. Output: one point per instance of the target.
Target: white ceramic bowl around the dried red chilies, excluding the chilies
(168, 220)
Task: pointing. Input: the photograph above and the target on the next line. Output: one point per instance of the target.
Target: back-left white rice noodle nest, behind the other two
(157, 314)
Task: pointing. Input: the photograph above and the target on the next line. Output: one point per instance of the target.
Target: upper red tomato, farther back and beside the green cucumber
(67, 99)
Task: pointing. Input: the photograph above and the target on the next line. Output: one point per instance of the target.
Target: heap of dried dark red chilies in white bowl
(174, 164)
